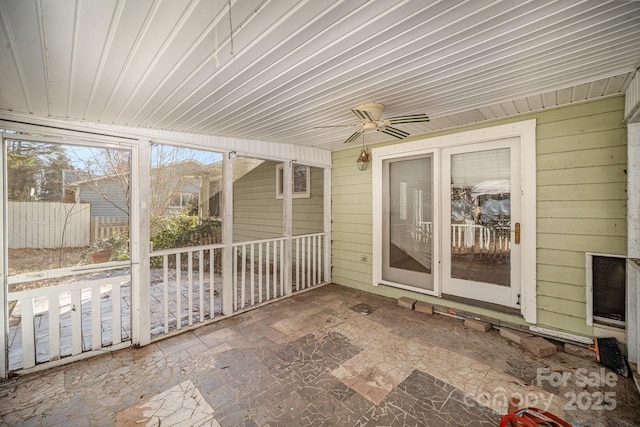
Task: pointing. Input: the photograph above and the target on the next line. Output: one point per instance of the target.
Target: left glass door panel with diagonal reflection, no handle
(407, 220)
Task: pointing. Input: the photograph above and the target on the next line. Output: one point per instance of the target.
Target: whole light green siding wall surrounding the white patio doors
(581, 207)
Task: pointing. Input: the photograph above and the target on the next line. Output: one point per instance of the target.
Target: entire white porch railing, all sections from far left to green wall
(89, 309)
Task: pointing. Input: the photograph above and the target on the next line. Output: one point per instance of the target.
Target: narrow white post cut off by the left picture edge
(4, 319)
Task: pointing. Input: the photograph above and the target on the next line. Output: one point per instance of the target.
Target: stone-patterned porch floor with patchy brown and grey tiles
(312, 360)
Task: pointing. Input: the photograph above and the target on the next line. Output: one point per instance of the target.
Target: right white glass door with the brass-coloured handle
(481, 207)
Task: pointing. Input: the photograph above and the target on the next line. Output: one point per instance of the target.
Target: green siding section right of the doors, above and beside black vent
(581, 187)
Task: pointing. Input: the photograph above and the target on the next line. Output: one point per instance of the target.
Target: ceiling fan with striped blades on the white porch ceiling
(370, 116)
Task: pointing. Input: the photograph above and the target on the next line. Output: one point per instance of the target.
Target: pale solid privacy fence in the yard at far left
(48, 225)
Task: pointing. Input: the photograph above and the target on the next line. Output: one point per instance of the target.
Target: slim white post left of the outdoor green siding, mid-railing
(227, 234)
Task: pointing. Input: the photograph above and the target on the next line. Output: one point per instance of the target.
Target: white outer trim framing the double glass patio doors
(526, 131)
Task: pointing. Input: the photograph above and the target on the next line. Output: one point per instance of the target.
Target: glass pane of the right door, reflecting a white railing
(481, 216)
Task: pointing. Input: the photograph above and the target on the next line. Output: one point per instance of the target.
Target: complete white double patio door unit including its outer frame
(454, 215)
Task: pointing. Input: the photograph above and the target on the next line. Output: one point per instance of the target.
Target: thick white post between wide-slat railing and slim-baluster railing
(140, 236)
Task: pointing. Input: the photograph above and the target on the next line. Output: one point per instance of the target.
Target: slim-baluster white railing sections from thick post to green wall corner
(186, 283)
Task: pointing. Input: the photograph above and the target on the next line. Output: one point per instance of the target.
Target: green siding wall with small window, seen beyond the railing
(257, 214)
